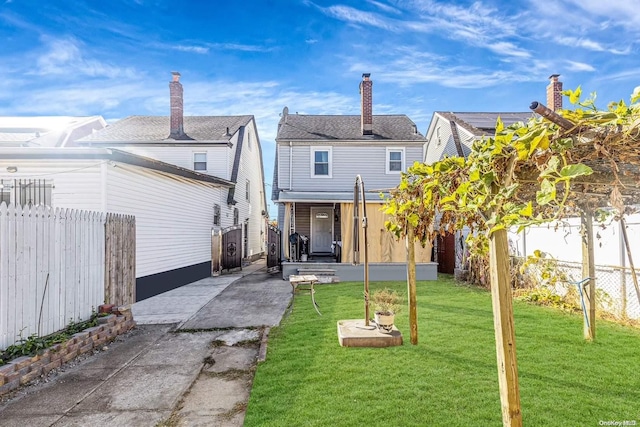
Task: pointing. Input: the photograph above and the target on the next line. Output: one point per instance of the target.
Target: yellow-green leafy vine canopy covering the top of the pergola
(527, 173)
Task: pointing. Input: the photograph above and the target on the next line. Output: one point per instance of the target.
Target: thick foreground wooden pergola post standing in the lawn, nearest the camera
(504, 326)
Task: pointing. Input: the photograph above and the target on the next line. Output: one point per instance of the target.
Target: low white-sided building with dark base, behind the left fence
(173, 206)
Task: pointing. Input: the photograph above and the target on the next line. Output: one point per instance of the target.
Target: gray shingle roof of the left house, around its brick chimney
(157, 128)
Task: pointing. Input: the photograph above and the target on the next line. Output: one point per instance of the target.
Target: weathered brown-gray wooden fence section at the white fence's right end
(120, 259)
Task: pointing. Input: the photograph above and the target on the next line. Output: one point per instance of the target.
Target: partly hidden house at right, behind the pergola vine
(453, 134)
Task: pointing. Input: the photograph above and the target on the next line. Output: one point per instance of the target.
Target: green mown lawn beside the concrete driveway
(450, 377)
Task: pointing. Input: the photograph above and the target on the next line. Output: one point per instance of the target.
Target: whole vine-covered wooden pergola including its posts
(527, 173)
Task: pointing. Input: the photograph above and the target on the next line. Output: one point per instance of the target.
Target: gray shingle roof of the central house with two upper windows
(311, 127)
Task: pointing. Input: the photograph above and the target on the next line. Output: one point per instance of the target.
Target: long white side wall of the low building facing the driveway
(174, 216)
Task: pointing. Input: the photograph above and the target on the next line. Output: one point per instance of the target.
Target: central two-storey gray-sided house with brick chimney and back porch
(317, 160)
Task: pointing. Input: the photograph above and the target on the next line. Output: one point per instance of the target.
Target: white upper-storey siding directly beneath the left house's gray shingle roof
(218, 157)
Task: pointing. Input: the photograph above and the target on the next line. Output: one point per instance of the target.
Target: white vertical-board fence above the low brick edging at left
(52, 264)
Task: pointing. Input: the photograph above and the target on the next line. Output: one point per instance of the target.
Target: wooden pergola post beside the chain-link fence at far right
(588, 270)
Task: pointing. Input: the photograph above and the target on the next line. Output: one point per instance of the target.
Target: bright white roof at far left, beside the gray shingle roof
(47, 131)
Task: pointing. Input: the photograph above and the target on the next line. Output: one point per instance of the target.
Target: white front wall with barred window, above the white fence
(77, 183)
